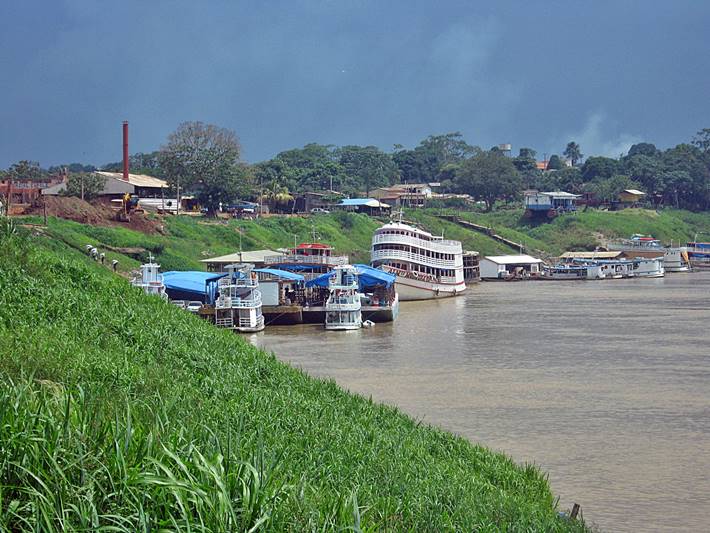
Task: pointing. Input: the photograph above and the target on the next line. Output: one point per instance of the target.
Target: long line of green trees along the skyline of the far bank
(205, 160)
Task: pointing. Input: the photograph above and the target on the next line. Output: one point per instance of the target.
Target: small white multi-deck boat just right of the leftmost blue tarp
(238, 303)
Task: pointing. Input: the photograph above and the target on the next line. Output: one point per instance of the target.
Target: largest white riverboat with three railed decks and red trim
(426, 266)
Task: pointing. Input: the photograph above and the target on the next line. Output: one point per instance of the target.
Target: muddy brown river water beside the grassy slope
(603, 384)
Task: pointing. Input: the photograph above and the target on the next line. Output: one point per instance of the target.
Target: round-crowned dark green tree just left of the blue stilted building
(488, 176)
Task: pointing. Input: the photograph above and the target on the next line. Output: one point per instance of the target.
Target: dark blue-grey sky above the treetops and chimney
(282, 74)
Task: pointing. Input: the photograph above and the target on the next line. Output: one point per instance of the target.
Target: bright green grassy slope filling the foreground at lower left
(121, 410)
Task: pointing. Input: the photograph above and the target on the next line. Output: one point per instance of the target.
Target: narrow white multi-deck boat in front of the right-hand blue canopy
(343, 307)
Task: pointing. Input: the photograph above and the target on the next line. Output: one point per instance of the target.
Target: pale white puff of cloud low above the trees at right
(596, 138)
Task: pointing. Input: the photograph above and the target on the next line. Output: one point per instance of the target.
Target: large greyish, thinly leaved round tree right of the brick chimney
(204, 158)
